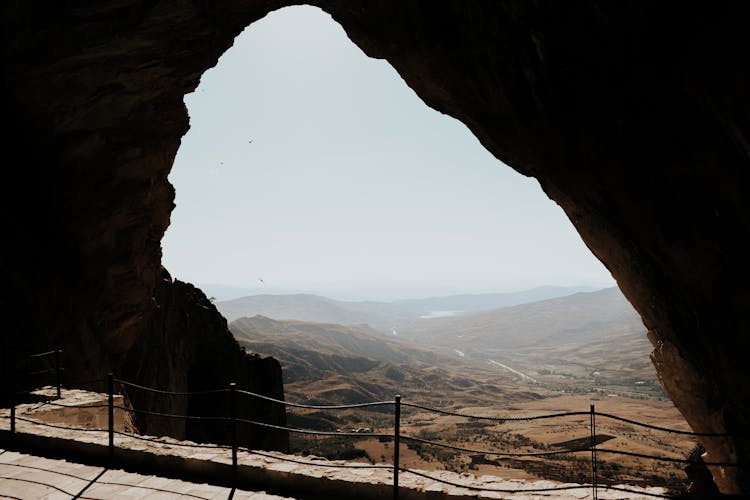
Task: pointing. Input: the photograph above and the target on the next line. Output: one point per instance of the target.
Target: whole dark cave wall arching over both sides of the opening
(633, 116)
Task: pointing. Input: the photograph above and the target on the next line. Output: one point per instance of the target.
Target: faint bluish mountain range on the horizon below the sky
(382, 316)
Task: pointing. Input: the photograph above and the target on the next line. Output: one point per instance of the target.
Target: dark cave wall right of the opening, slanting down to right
(634, 117)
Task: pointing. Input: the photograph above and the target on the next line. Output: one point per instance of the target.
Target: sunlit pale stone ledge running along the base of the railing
(274, 475)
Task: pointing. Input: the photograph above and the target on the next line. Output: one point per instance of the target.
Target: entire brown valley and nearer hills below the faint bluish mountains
(557, 358)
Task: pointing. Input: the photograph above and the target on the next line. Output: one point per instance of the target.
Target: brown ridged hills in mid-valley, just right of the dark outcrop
(334, 364)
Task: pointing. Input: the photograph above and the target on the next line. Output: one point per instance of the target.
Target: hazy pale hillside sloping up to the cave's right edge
(584, 341)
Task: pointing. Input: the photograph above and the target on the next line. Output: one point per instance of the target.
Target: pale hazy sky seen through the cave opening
(351, 186)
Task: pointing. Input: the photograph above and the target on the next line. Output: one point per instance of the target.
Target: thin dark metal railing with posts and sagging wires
(234, 420)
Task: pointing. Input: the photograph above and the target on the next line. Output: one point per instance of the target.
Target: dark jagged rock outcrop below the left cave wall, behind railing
(188, 348)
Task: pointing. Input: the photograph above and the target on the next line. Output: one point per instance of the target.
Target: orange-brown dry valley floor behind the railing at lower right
(548, 435)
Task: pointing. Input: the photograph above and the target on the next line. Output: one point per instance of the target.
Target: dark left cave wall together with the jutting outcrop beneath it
(93, 116)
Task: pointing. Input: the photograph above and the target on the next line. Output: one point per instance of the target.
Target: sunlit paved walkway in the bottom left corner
(29, 477)
